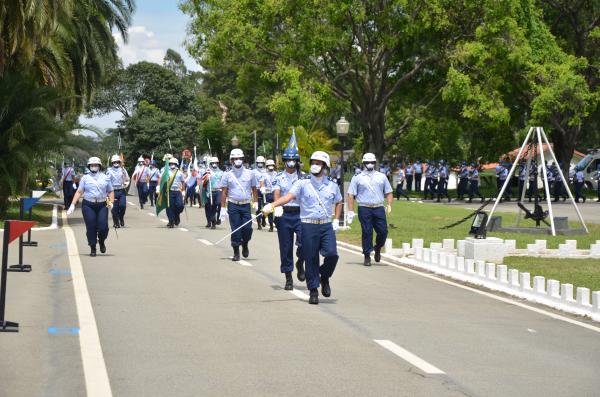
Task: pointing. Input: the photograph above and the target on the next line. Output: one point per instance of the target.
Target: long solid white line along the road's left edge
(94, 367)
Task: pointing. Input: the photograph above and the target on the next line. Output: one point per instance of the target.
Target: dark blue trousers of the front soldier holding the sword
(318, 239)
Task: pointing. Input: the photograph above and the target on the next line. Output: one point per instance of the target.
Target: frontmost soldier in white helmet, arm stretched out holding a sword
(317, 195)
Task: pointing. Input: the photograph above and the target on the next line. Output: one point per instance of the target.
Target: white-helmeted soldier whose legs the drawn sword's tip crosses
(238, 197)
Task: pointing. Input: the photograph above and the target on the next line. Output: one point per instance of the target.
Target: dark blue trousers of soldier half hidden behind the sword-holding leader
(288, 225)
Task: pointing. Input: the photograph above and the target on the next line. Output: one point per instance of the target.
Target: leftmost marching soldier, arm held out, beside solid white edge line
(98, 197)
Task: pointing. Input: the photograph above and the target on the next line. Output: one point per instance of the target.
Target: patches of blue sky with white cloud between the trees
(157, 25)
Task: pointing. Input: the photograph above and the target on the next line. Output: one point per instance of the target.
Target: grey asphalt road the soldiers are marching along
(176, 317)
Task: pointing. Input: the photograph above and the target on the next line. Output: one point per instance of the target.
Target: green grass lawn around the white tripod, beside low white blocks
(415, 220)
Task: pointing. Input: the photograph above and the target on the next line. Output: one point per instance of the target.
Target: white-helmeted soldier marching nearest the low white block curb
(372, 191)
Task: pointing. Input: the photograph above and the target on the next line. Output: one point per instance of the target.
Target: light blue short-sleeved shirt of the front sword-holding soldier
(310, 206)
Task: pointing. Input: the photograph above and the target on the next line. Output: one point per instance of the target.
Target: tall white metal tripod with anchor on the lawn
(537, 132)
